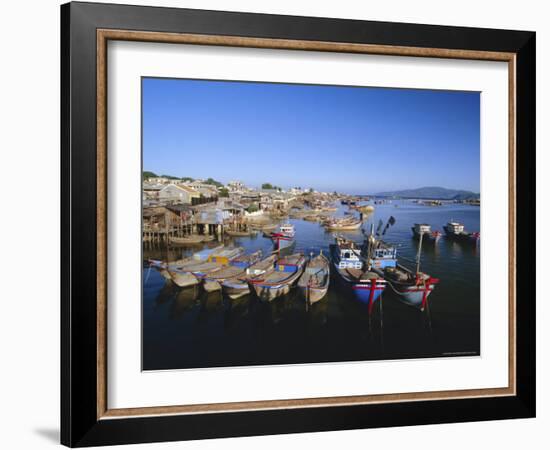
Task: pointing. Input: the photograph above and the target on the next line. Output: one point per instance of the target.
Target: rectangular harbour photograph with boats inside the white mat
(298, 224)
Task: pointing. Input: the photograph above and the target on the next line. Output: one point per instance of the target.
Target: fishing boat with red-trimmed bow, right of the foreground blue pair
(412, 287)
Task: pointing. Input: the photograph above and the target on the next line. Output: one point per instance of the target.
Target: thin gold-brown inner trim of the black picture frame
(104, 35)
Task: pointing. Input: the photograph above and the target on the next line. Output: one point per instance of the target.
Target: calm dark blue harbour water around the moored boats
(189, 328)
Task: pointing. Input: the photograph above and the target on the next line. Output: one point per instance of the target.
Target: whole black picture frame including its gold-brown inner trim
(86, 419)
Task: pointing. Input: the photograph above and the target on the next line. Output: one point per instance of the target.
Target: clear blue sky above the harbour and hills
(349, 139)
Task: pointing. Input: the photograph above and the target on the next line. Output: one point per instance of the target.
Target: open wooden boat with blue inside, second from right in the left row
(279, 282)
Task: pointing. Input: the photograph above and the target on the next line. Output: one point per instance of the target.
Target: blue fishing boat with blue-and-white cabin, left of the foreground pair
(354, 273)
